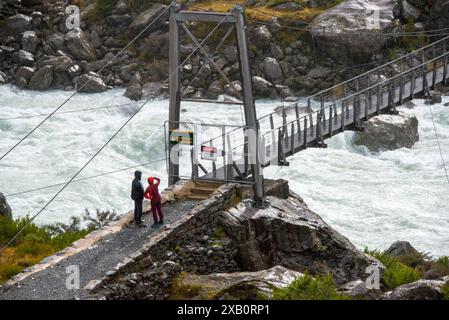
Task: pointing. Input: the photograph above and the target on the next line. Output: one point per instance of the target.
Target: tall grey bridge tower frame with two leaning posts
(178, 18)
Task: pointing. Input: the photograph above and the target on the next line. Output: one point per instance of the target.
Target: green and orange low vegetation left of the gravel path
(37, 242)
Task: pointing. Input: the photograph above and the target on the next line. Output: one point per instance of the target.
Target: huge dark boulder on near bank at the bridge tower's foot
(289, 234)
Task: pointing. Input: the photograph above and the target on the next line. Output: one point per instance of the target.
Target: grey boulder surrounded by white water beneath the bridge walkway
(388, 132)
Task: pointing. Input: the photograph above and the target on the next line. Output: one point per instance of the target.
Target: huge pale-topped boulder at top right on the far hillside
(352, 29)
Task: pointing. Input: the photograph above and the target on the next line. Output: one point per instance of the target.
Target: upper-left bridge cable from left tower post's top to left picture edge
(85, 84)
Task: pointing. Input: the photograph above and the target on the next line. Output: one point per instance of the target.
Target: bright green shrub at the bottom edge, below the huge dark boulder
(309, 288)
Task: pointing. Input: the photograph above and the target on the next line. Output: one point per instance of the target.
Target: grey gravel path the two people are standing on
(93, 263)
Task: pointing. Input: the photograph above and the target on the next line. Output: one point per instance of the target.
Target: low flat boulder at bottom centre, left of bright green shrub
(238, 285)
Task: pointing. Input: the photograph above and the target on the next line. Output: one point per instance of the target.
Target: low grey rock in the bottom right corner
(419, 290)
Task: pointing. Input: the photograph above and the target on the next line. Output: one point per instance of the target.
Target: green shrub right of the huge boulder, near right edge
(396, 273)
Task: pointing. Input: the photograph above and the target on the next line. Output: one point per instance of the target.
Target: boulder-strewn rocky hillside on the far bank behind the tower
(296, 47)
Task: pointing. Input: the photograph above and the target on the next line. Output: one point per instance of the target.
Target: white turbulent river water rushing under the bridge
(373, 199)
